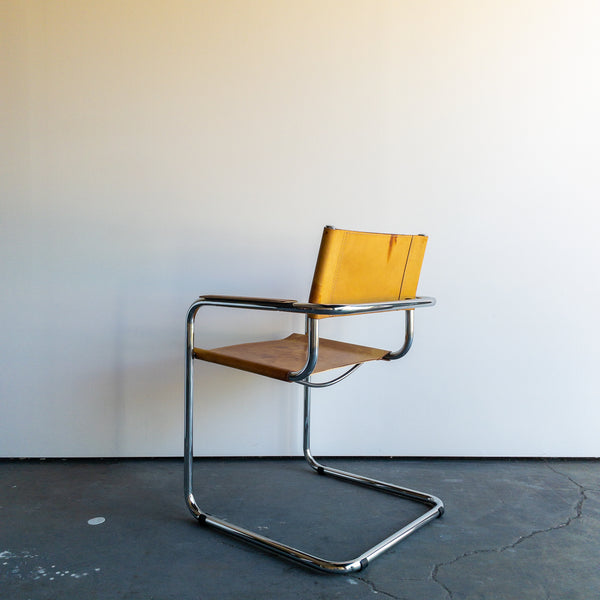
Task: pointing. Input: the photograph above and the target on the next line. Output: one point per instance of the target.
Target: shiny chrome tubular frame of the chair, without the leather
(436, 507)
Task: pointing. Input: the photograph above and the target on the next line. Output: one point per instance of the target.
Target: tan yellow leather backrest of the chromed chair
(355, 267)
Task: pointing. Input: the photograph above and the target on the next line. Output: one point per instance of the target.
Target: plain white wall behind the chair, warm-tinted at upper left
(154, 151)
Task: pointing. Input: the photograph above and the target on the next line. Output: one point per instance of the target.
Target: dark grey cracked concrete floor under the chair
(514, 529)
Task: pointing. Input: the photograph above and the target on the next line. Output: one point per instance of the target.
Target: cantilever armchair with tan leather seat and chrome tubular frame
(356, 273)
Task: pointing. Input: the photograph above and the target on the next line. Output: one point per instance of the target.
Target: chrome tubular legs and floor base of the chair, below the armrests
(348, 566)
